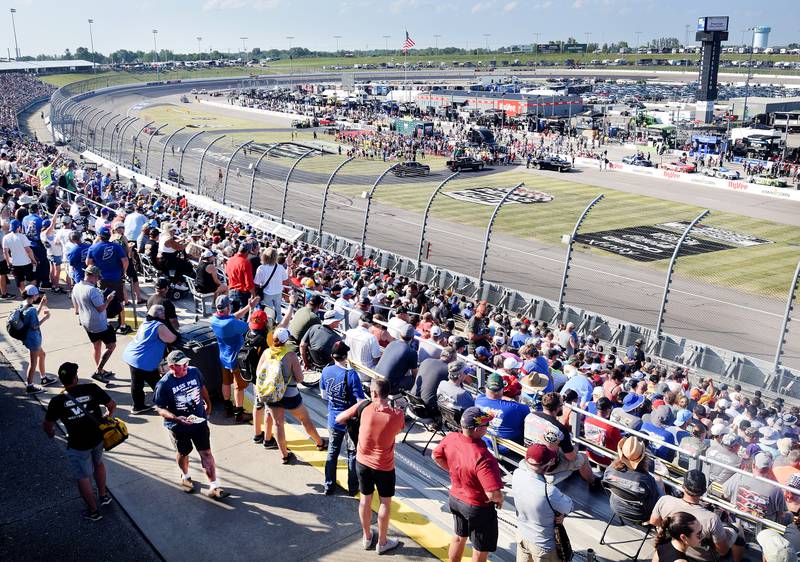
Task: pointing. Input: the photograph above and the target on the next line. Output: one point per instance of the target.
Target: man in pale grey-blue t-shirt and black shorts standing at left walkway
(90, 307)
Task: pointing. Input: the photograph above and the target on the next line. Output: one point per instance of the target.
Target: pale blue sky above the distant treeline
(51, 26)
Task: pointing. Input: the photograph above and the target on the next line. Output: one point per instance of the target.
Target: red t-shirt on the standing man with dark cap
(473, 469)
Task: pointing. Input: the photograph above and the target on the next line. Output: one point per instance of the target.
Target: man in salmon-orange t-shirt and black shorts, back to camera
(380, 424)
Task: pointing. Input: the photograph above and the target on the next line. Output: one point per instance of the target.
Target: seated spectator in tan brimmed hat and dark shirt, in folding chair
(634, 491)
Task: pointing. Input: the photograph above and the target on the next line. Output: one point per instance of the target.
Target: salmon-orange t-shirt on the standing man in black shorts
(379, 426)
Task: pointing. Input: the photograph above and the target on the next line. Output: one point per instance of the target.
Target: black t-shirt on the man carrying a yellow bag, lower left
(83, 433)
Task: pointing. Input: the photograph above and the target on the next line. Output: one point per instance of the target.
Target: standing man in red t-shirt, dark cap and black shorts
(476, 488)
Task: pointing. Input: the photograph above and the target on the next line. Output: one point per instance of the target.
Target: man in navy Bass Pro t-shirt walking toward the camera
(182, 400)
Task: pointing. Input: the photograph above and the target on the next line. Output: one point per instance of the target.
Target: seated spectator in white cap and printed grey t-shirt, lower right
(756, 497)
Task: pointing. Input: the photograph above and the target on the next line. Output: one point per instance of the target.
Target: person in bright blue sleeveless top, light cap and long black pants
(143, 355)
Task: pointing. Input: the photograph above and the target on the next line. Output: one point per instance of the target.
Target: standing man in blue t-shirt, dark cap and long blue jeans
(342, 388)
